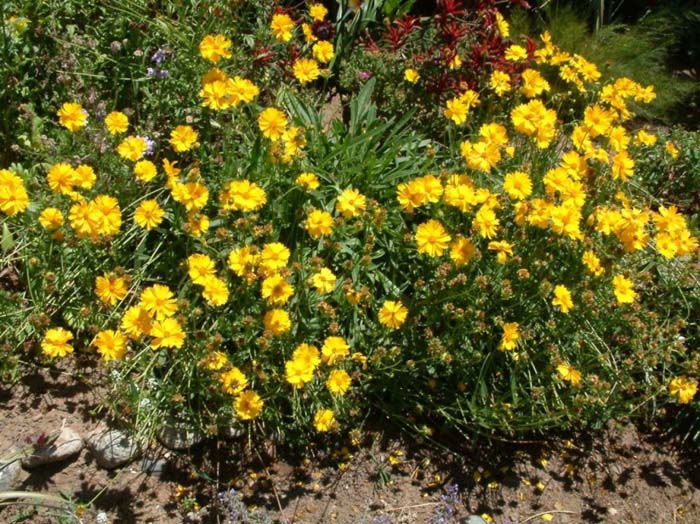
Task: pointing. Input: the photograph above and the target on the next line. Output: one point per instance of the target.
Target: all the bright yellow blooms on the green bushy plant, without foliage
(599, 148)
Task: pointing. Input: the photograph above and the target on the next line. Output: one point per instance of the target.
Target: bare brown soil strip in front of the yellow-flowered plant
(619, 475)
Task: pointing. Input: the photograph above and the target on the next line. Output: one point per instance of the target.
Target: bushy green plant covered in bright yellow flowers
(258, 266)
